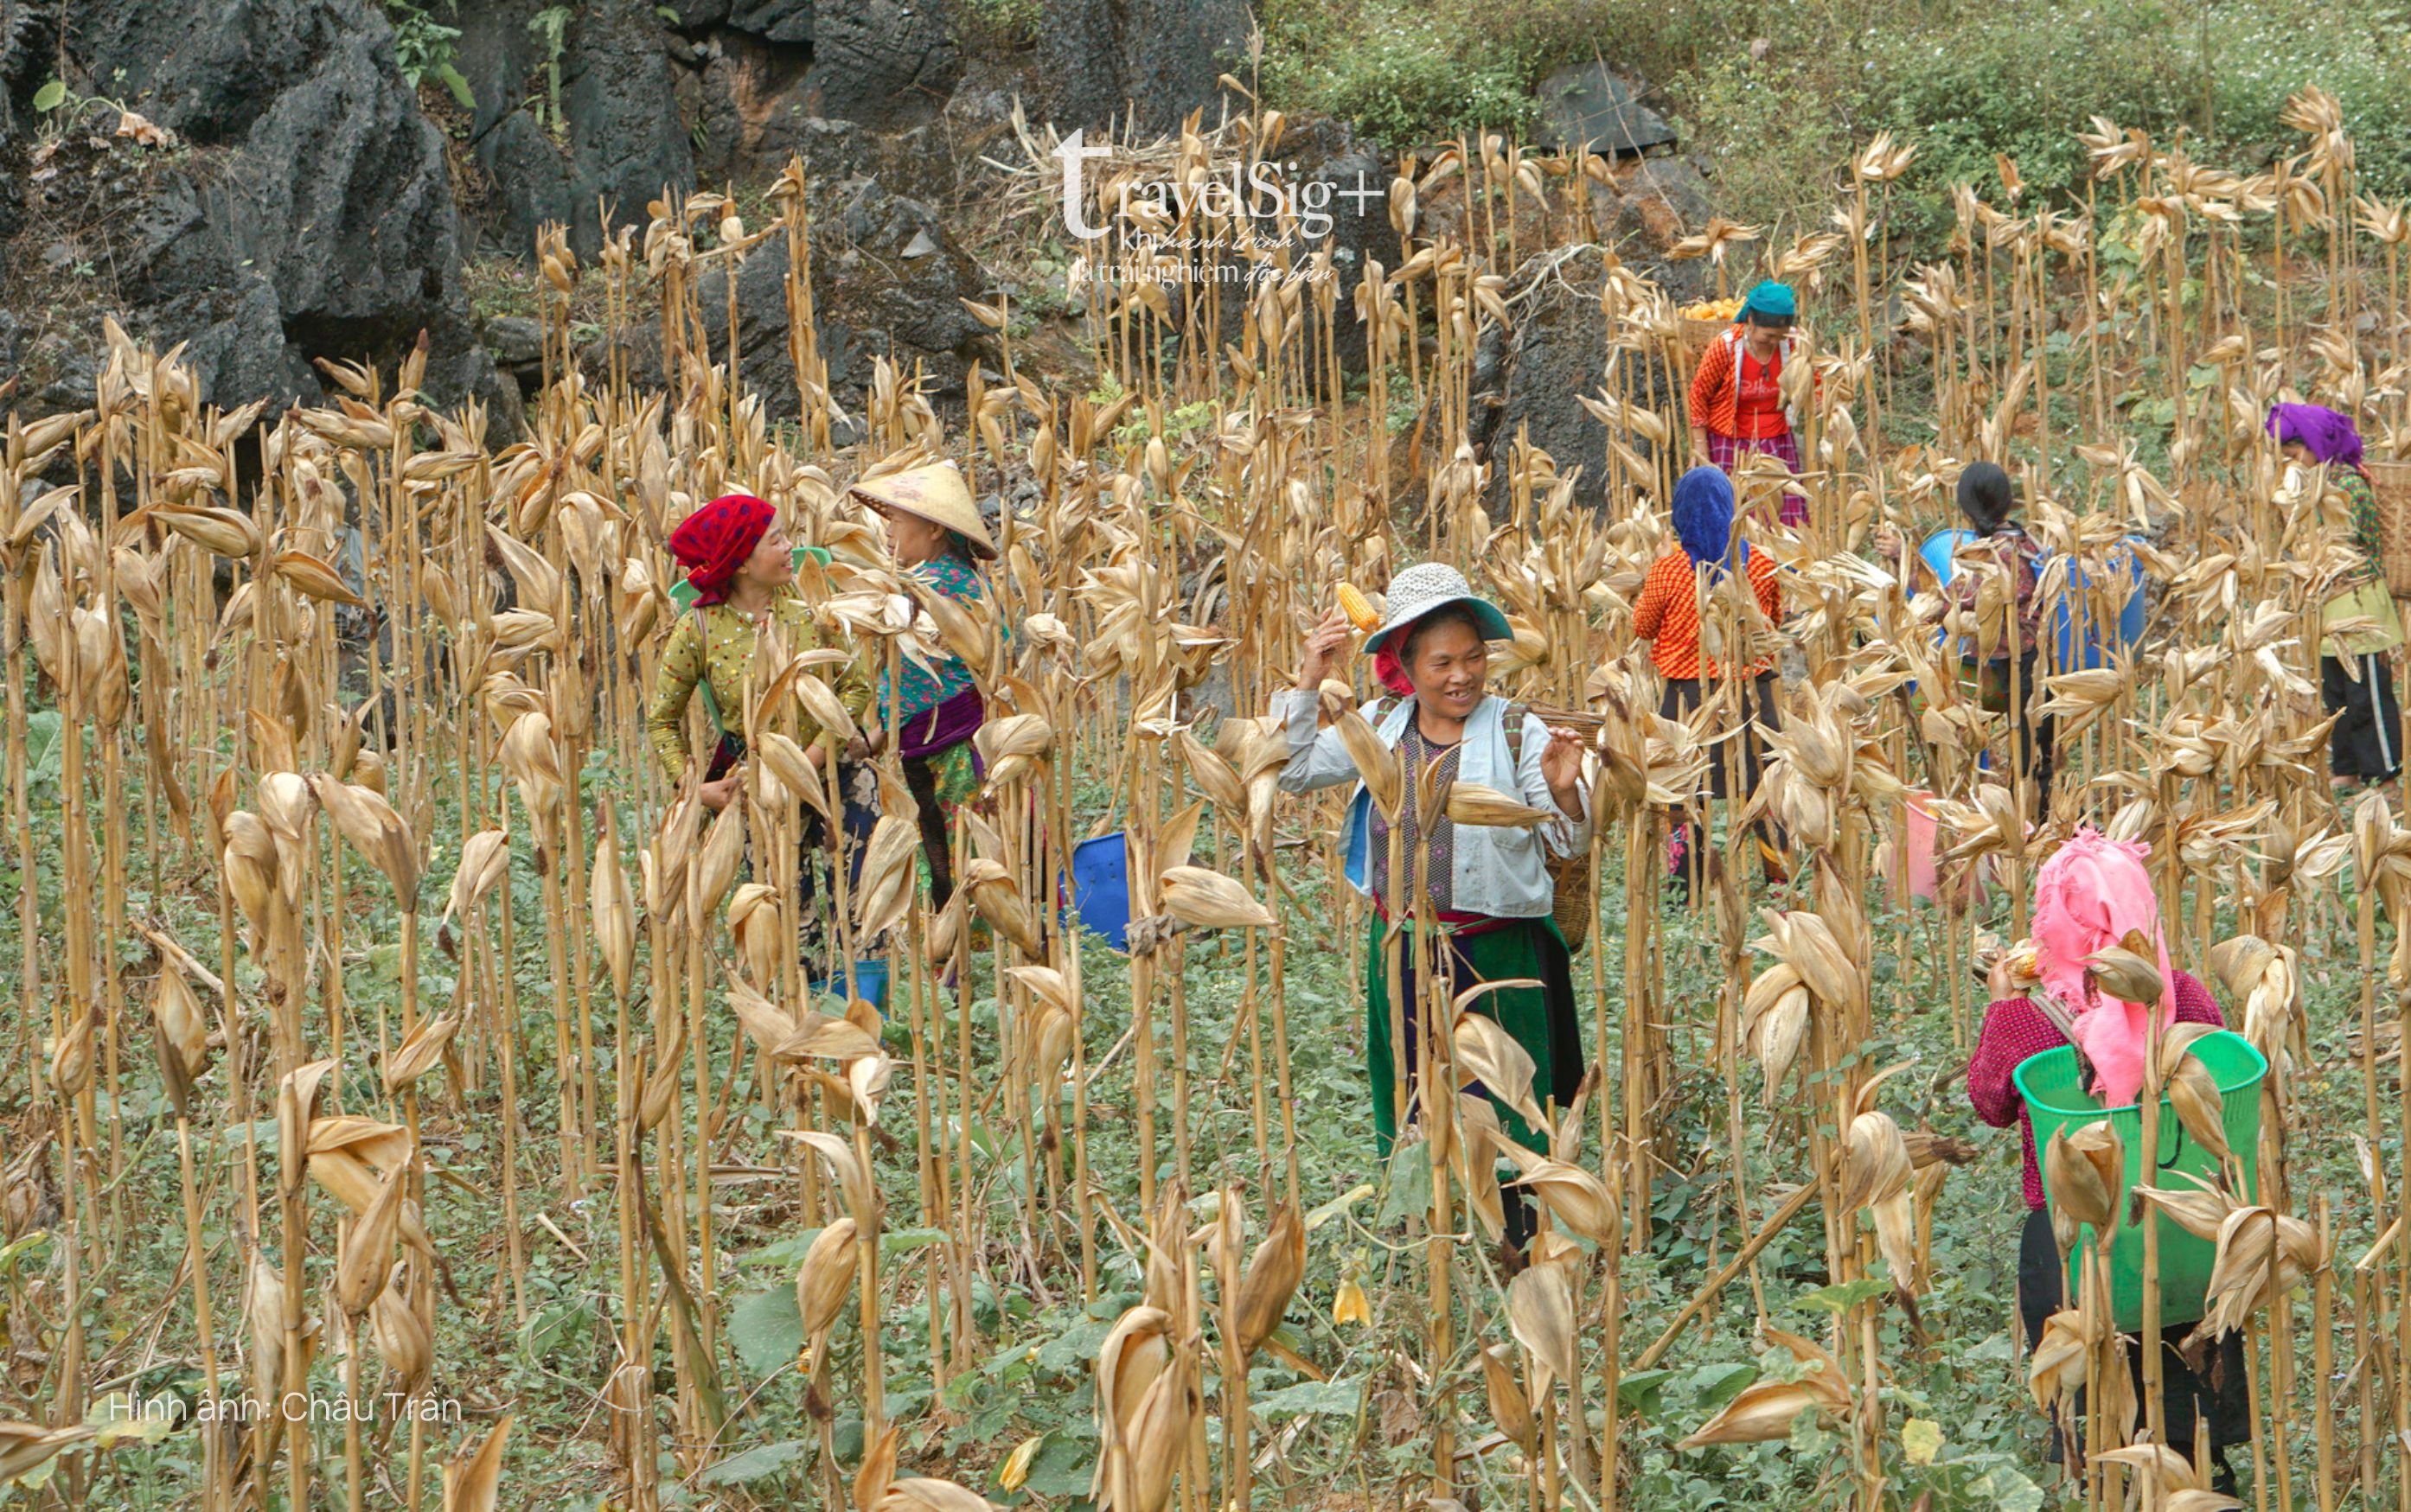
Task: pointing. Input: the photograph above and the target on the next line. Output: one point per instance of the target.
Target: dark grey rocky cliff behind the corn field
(259, 182)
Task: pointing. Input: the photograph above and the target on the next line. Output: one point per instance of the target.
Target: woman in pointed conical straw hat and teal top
(937, 537)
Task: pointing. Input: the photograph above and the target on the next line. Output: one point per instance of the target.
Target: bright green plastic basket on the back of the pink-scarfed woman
(2055, 1101)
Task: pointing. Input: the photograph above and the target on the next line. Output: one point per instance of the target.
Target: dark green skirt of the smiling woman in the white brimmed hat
(1539, 1019)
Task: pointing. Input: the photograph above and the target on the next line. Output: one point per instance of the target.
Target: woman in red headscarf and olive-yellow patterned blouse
(744, 578)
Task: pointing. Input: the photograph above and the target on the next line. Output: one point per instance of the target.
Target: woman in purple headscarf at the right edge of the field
(2357, 679)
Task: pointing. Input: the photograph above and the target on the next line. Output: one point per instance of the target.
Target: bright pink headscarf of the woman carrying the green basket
(2087, 898)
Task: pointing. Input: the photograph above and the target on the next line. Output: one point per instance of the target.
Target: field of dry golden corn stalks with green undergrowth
(399, 1053)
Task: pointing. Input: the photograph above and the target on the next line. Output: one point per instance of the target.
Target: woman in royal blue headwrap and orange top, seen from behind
(1708, 563)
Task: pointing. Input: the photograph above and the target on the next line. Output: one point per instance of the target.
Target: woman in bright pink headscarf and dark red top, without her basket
(2089, 898)
